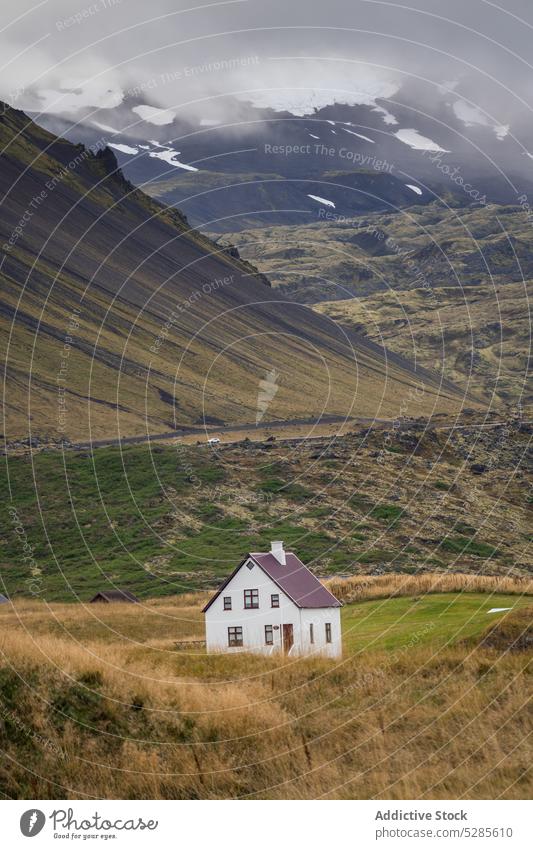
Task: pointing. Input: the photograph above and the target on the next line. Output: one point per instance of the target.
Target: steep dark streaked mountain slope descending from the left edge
(121, 320)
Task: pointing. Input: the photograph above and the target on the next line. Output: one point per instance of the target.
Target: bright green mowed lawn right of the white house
(394, 623)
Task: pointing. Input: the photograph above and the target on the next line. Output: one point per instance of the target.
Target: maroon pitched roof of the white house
(294, 579)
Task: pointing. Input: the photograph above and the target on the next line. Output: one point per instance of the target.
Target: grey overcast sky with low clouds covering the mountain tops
(61, 56)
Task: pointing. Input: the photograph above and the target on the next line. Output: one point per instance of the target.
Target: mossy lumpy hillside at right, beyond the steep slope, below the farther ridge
(477, 337)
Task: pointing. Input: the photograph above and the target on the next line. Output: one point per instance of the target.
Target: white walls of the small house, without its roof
(253, 621)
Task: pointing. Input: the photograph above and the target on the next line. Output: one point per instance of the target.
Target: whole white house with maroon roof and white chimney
(272, 603)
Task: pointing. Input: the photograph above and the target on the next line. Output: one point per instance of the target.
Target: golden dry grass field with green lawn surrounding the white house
(430, 701)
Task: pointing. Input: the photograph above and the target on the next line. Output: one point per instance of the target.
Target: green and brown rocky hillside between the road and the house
(171, 518)
